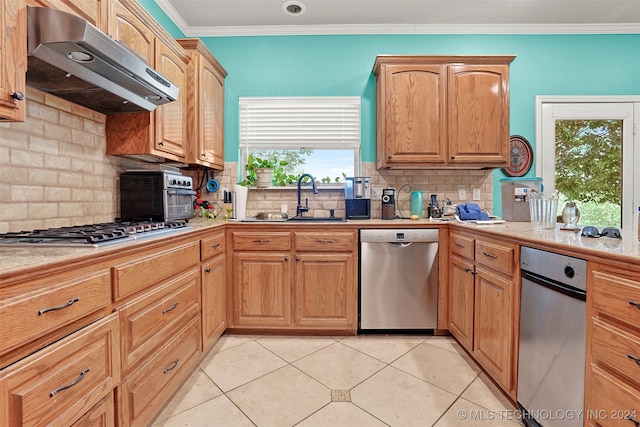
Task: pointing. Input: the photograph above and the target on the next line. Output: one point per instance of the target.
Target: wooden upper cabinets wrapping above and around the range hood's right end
(161, 134)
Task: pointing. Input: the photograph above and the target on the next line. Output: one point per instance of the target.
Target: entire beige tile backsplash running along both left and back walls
(54, 172)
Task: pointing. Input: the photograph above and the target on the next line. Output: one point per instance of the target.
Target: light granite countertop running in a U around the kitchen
(627, 249)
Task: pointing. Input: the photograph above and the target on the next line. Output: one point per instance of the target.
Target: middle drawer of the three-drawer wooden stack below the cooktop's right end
(149, 321)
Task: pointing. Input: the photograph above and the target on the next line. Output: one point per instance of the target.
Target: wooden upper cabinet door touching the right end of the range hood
(171, 118)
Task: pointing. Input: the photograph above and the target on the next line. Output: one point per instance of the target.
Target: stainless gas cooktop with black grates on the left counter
(92, 235)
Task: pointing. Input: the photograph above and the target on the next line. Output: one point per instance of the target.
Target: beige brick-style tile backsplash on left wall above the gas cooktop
(53, 167)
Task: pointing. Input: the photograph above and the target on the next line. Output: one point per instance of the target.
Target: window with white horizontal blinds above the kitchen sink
(316, 135)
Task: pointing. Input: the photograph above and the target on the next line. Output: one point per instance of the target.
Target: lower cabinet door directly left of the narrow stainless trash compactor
(493, 325)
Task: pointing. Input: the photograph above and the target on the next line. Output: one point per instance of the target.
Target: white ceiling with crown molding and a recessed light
(200, 18)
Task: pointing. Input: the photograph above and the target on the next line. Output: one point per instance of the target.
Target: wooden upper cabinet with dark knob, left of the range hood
(13, 60)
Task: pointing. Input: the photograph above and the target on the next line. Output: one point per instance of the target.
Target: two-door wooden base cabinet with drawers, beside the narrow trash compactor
(484, 303)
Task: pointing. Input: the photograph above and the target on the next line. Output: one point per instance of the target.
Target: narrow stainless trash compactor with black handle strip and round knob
(551, 359)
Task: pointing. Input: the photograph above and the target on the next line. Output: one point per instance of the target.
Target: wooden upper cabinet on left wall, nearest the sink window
(205, 106)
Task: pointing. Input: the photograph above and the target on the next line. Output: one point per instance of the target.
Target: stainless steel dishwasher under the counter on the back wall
(398, 290)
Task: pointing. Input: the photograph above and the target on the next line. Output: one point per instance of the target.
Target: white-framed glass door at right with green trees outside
(587, 151)
